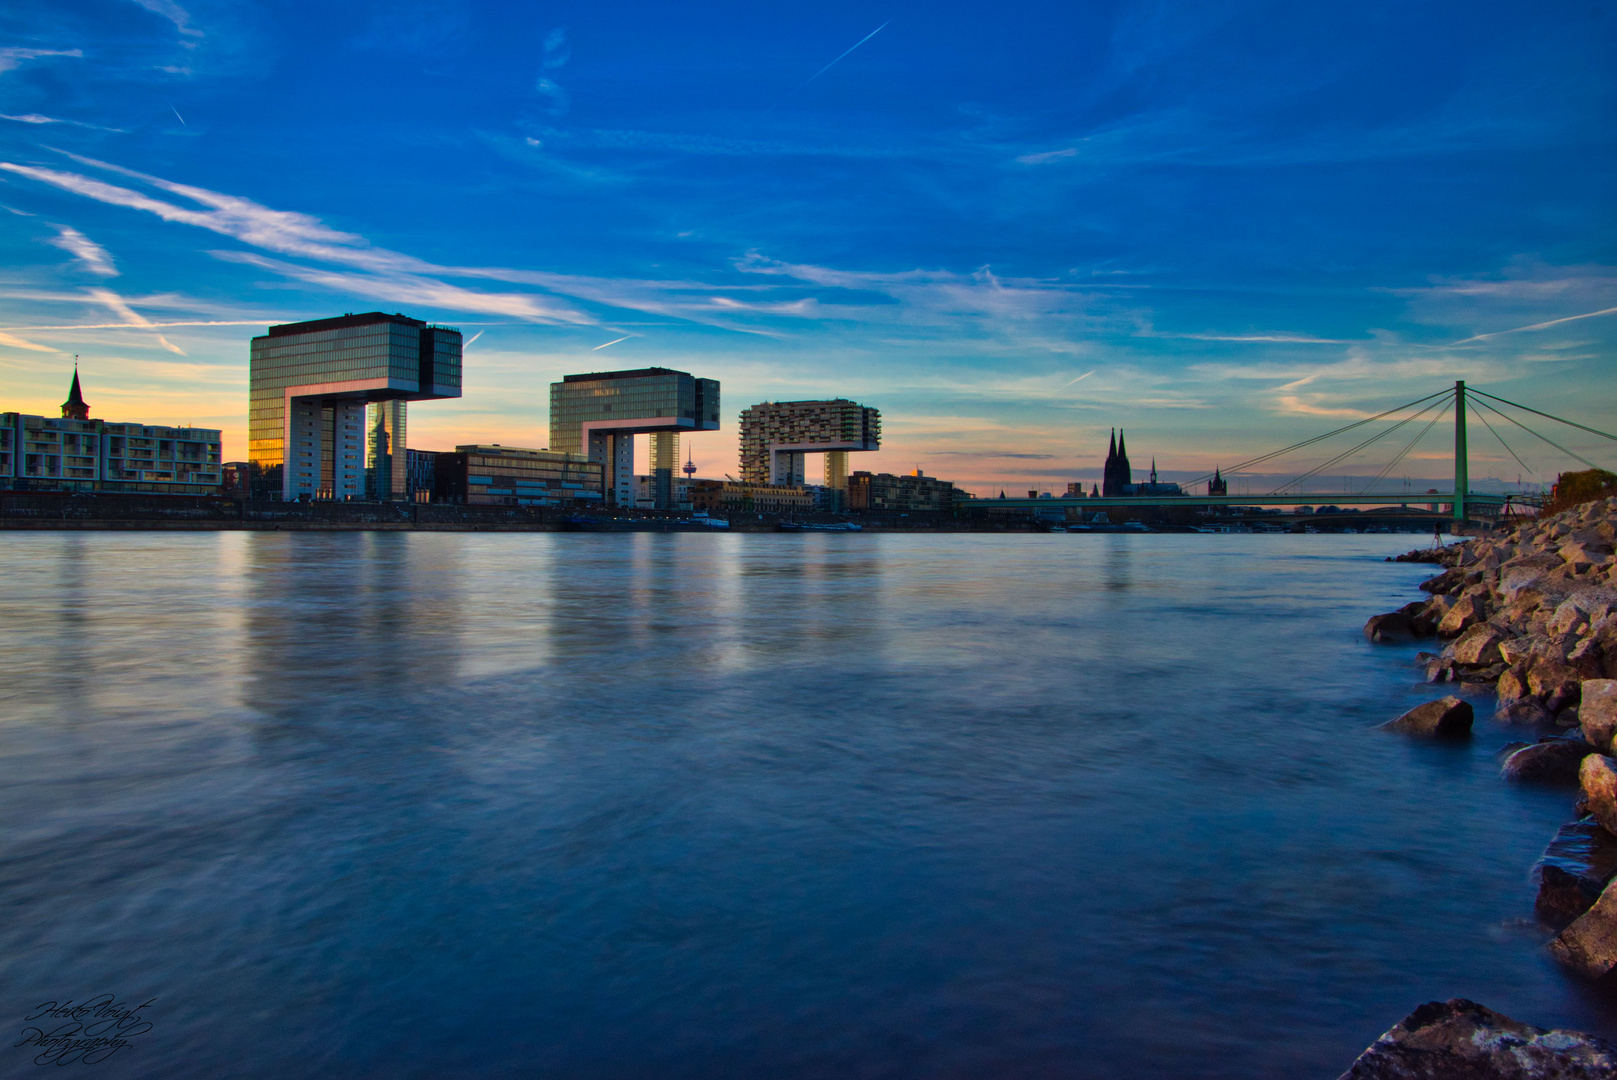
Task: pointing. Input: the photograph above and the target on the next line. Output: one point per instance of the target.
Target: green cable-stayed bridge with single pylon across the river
(1419, 416)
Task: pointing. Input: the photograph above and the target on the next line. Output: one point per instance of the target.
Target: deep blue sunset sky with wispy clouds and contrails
(1223, 227)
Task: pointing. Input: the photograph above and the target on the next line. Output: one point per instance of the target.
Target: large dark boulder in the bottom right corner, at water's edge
(1463, 1040)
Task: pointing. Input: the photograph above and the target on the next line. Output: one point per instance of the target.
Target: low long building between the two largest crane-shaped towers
(513, 476)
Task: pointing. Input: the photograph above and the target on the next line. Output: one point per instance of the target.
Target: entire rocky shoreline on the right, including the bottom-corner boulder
(1530, 614)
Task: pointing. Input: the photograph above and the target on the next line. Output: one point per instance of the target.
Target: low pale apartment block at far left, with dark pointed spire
(75, 454)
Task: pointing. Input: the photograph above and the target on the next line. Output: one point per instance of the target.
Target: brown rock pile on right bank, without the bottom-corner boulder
(1534, 614)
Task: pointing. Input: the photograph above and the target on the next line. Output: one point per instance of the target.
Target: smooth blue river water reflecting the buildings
(743, 806)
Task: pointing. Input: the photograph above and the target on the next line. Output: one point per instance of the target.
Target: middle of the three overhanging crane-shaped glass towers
(601, 415)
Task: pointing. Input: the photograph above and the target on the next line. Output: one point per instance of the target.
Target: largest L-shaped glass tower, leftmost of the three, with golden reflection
(327, 402)
